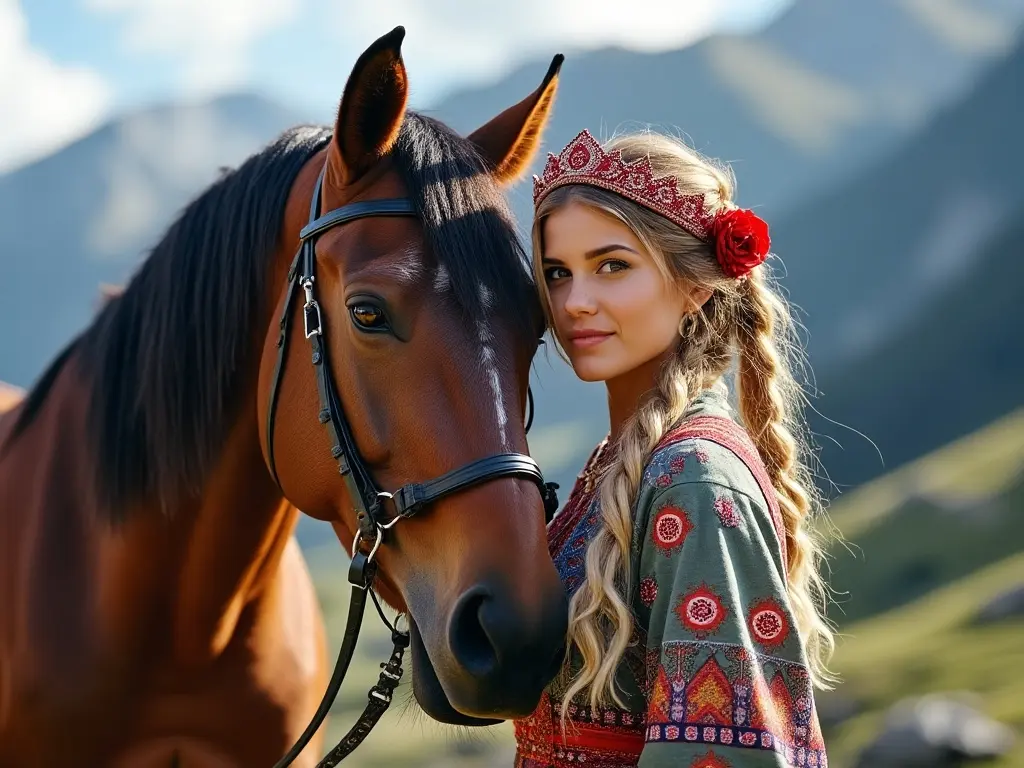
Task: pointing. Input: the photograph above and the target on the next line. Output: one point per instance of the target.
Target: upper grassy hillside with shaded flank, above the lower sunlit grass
(931, 523)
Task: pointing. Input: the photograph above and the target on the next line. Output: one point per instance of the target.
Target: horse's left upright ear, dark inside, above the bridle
(372, 109)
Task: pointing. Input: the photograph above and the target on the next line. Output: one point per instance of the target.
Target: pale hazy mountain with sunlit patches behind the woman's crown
(816, 95)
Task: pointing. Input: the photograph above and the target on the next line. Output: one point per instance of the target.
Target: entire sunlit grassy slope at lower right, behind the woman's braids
(933, 542)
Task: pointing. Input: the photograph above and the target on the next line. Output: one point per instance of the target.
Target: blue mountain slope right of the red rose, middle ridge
(911, 224)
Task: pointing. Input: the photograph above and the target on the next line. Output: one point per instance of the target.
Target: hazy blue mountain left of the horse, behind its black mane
(87, 216)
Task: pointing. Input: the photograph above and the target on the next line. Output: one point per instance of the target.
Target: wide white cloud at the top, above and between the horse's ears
(451, 44)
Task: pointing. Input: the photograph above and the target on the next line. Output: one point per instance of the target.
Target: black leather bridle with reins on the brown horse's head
(366, 496)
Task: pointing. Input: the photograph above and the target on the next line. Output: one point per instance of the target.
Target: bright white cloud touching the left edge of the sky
(44, 104)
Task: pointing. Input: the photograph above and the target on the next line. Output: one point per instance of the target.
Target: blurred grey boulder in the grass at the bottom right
(935, 732)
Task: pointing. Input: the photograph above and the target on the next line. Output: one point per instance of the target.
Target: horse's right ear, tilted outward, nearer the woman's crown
(510, 141)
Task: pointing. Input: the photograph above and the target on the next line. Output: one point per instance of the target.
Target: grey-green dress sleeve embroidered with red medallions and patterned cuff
(728, 681)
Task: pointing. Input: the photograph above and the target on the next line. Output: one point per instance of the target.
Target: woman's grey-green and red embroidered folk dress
(715, 675)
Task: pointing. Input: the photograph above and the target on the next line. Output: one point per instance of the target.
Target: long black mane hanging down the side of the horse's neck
(164, 357)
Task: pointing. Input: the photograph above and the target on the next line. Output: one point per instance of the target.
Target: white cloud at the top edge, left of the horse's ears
(211, 37)
